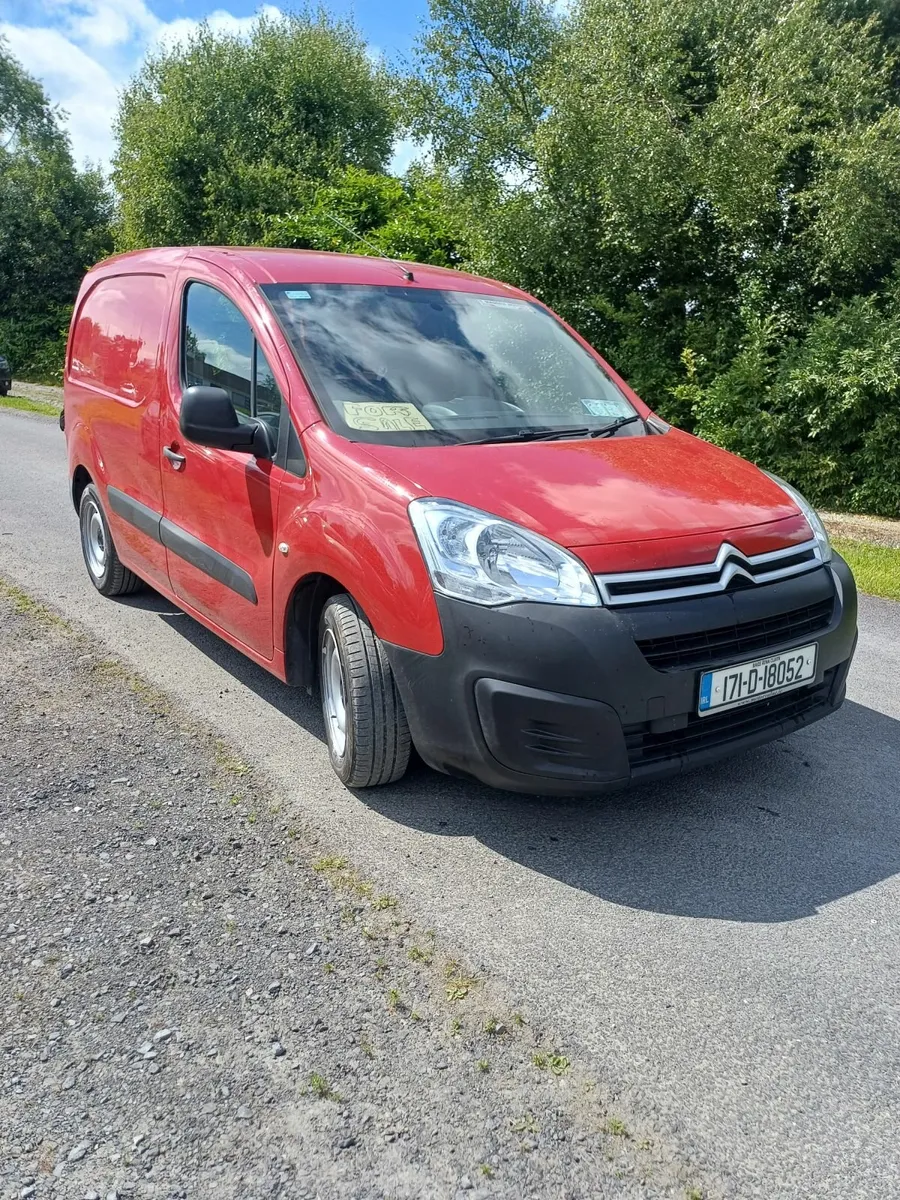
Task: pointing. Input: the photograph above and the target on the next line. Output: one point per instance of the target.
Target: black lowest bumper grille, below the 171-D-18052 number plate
(711, 733)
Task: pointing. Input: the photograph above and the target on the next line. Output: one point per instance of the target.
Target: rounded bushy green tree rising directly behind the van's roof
(219, 135)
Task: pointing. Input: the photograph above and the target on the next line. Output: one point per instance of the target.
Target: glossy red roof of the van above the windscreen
(263, 266)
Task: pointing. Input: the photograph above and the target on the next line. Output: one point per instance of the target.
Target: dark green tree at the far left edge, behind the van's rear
(55, 224)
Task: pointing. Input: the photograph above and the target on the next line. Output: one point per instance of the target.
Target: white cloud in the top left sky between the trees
(85, 52)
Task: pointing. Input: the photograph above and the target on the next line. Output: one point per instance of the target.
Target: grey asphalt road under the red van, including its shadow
(722, 951)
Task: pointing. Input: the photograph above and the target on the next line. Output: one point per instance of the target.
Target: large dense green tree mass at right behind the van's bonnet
(716, 202)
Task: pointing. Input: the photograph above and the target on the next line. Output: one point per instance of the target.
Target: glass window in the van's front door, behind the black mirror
(220, 351)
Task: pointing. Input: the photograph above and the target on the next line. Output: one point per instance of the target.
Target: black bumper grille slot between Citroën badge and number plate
(682, 652)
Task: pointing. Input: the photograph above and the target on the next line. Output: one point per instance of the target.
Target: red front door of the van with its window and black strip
(221, 507)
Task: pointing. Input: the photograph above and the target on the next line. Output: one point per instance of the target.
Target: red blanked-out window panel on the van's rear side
(116, 341)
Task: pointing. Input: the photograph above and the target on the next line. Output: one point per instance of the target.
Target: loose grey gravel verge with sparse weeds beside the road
(200, 1001)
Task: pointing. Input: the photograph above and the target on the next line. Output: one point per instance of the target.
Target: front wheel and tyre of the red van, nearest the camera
(371, 746)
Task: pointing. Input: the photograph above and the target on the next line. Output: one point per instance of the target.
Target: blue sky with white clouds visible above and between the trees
(83, 51)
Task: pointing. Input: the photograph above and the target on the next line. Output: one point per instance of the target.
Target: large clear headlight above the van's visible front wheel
(475, 556)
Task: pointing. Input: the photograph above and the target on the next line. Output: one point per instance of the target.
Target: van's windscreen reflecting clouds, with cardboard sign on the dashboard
(416, 367)
